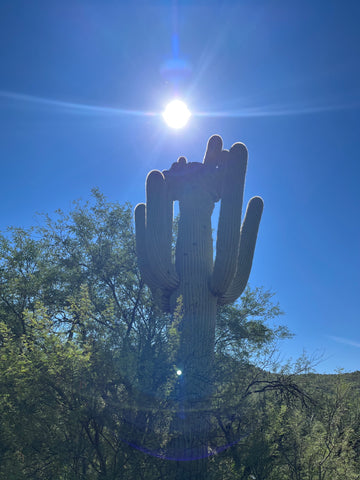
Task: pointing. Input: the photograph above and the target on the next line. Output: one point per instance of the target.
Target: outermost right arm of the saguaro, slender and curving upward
(248, 234)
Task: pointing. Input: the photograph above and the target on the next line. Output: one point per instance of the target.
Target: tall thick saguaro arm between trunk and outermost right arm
(227, 243)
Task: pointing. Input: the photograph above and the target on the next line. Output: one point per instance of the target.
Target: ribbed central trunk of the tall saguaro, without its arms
(194, 263)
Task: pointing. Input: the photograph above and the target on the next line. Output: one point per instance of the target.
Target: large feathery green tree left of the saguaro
(70, 292)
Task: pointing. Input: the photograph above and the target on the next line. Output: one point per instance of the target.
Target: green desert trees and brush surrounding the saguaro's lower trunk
(88, 384)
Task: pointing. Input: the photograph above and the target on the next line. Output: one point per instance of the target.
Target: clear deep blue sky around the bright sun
(82, 86)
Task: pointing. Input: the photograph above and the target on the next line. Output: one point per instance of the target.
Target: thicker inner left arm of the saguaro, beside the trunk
(158, 231)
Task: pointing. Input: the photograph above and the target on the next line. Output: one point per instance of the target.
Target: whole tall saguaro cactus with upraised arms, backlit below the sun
(200, 282)
